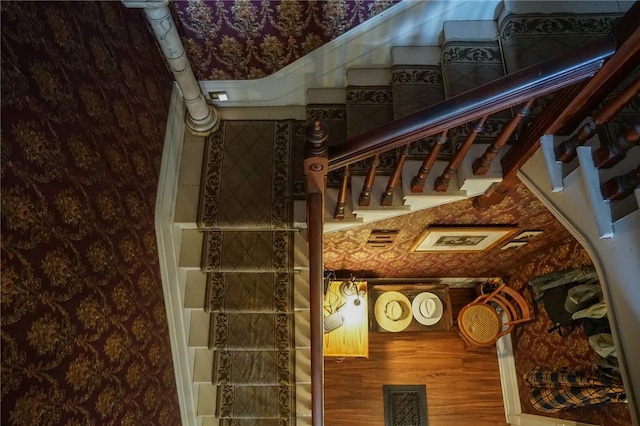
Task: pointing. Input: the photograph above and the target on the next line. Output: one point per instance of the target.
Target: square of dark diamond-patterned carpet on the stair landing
(247, 177)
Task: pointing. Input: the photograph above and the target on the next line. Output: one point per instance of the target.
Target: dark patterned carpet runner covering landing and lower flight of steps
(246, 214)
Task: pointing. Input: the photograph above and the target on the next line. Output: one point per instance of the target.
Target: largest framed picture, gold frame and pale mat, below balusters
(455, 239)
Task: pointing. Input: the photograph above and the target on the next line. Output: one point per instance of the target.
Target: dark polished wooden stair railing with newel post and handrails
(581, 81)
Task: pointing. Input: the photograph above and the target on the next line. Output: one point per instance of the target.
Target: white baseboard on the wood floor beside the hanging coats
(511, 396)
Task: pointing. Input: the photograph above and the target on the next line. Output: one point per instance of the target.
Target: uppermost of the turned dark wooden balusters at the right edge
(566, 151)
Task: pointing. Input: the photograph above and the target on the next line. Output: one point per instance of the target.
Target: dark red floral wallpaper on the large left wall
(84, 334)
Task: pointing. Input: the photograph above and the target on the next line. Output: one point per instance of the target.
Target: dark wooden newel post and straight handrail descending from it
(315, 168)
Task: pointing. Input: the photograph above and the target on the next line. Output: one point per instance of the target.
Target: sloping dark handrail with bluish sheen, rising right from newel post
(531, 82)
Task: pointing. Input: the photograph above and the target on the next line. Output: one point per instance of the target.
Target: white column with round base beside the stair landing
(202, 118)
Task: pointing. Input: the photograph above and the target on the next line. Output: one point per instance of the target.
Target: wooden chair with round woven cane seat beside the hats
(491, 316)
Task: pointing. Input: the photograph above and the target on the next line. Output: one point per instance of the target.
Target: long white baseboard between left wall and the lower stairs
(167, 253)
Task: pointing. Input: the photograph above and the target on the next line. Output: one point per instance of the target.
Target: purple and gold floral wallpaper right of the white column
(249, 39)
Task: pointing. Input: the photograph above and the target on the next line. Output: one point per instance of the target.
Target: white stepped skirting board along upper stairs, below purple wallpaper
(366, 46)
